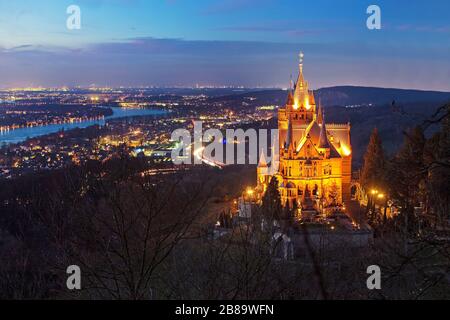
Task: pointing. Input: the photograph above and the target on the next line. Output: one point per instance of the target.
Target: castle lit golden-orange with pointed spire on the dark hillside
(314, 156)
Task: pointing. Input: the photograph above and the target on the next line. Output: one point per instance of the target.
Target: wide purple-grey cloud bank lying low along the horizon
(156, 61)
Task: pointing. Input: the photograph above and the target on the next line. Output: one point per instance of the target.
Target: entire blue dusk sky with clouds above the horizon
(224, 43)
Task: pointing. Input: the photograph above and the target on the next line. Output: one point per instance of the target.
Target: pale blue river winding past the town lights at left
(22, 134)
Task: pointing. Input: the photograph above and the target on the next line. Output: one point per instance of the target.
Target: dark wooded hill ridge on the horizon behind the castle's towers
(364, 107)
